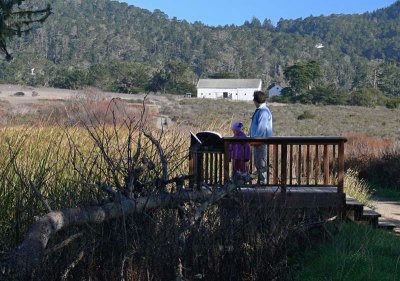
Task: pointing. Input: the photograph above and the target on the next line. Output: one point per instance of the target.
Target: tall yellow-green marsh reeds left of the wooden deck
(45, 168)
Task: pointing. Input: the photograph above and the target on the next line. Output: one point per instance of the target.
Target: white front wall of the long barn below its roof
(234, 94)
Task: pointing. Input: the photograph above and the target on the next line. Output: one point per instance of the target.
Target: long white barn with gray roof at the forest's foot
(235, 89)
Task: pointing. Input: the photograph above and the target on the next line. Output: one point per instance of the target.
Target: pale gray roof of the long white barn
(228, 83)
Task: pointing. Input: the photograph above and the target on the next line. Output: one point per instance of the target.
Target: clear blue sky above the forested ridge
(221, 12)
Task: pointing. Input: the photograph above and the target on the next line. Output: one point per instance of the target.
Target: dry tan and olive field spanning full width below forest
(202, 114)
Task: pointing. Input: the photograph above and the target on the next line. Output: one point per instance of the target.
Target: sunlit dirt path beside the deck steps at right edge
(389, 210)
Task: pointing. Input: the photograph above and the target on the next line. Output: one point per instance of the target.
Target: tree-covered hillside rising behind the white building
(119, 47)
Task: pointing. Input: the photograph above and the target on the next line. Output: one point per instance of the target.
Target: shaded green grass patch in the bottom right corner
(356, 252)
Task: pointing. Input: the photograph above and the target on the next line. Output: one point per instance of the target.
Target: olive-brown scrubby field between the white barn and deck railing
(322, 121)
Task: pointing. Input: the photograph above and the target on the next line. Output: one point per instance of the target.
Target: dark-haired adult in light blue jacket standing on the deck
(261, 126)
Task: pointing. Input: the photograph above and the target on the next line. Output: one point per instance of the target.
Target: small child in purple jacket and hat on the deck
(239, 153)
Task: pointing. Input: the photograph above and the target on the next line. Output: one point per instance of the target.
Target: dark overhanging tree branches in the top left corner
(17, 19)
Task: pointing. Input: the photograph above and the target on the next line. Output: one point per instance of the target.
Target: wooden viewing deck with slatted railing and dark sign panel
(303, 172)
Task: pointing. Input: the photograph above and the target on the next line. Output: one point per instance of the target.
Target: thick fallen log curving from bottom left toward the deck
(23, 260)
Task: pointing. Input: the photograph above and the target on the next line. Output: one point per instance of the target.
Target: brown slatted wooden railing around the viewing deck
(291, 161)
